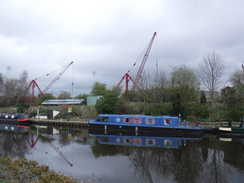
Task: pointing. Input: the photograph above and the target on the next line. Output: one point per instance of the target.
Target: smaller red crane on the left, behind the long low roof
(34, 84)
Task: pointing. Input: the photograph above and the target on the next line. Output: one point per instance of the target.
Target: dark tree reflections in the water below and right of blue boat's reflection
(204, 161)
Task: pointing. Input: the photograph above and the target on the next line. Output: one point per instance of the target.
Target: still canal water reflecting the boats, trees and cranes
(126, 158)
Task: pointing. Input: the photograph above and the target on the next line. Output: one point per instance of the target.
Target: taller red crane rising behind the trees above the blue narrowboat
(127, 77)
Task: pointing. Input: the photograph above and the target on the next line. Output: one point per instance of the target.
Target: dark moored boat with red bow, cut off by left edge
(19, 118)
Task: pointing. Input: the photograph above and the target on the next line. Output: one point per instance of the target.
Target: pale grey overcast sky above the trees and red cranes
(105, 38)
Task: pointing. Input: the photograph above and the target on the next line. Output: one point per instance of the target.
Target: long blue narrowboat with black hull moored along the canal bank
(140, 123)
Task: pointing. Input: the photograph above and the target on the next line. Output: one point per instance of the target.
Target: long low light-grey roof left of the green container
(63, 101)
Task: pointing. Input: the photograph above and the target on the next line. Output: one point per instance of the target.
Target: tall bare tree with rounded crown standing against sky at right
(211, 72)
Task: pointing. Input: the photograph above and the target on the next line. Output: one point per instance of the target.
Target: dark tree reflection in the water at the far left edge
(13, 144)
